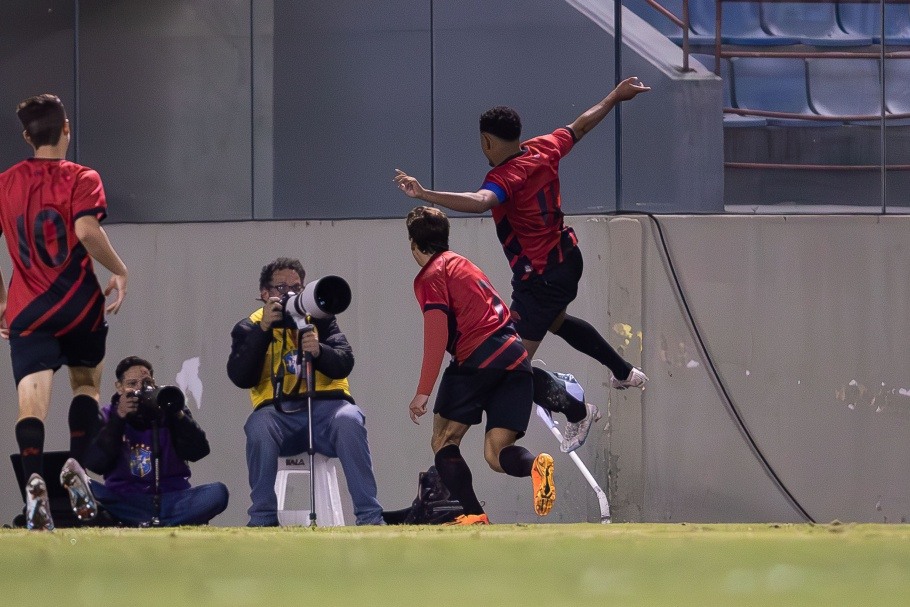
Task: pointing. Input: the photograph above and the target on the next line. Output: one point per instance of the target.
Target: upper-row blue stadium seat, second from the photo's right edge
(815, 24)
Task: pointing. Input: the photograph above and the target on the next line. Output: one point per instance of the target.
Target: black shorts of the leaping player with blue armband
(538, 300)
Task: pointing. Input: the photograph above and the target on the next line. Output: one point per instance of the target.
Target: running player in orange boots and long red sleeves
(490, 370)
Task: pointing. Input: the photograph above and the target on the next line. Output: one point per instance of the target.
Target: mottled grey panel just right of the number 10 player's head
(166, 114)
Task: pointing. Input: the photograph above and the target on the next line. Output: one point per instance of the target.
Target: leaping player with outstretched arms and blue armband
(522, 191)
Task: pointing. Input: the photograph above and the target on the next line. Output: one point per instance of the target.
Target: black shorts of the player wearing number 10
(39, 351)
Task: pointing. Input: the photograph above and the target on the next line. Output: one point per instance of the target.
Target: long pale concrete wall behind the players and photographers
(804, 318)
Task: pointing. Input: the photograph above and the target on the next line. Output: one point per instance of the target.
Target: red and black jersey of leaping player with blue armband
(529, 217)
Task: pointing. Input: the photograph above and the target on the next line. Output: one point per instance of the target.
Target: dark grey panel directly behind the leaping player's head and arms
(547, 61)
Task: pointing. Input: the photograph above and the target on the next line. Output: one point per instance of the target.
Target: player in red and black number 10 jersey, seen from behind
(53, 313)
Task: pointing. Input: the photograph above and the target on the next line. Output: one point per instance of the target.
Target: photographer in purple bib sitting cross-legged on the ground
(142, 450)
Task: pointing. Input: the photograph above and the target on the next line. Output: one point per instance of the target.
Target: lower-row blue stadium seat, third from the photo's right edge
(776, 84)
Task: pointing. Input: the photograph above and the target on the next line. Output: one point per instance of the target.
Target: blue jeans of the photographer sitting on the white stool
(339, 430)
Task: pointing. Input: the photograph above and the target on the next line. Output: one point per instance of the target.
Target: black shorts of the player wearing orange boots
(465, 393)
